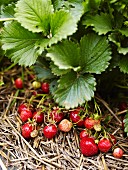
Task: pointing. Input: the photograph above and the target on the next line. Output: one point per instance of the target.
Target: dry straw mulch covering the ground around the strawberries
(60, 153)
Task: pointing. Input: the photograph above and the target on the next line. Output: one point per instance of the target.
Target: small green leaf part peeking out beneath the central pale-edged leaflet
(56, 71)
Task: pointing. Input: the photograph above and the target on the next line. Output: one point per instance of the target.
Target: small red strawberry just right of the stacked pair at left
(38, 116)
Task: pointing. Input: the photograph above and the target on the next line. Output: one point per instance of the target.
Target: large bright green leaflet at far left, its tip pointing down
(20, 44)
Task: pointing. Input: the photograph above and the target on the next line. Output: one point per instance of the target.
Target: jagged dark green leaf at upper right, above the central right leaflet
(102, 23)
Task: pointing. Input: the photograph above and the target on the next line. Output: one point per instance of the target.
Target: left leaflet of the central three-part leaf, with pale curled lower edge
(65, 55)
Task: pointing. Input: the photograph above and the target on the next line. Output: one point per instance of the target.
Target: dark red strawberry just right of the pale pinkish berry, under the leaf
(76, 118)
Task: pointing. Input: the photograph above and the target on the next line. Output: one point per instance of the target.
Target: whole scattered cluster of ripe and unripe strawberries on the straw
(93, 137)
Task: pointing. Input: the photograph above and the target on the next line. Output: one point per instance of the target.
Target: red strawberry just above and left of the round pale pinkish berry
(57, 115)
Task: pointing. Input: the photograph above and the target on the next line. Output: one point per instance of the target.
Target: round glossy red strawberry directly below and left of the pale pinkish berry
(50, 131)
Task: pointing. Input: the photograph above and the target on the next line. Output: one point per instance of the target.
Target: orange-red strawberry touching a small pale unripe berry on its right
(90, 122)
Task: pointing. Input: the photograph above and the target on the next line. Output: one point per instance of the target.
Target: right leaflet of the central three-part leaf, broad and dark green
(95, 53)
